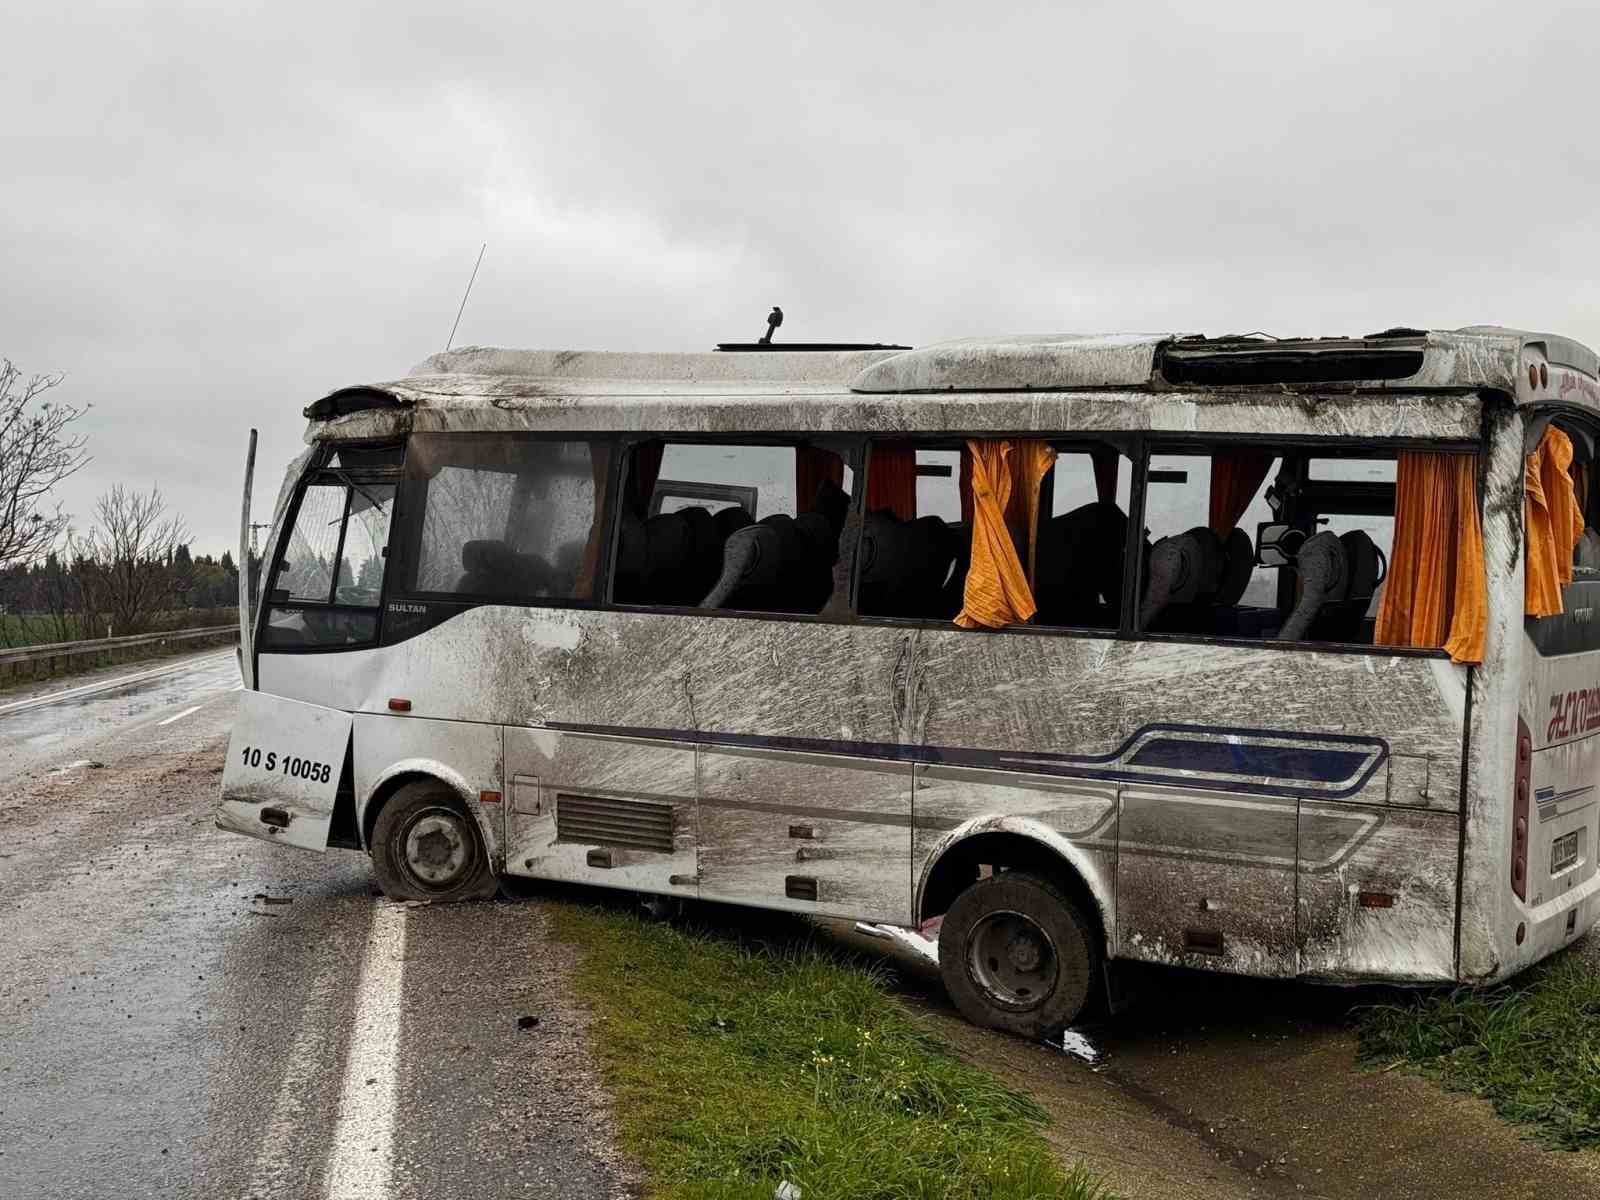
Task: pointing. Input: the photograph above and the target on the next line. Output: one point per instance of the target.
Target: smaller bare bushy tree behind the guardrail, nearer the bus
(132, 558)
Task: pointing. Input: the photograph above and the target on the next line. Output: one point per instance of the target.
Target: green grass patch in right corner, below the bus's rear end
(1532, 1050)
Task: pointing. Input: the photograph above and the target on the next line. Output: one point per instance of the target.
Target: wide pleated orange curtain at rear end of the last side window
(1438, 591)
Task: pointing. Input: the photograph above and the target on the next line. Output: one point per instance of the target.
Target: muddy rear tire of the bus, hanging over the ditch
(1018, 954)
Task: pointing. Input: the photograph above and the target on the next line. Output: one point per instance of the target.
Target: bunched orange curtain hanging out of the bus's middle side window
(998, 588)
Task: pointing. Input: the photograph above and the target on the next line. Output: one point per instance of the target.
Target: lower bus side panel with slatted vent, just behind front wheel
(594, 809)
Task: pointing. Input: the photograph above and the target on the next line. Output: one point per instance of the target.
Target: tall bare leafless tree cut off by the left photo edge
(38, 452)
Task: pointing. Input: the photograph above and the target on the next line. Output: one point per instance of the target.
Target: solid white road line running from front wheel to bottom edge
(359, 1162)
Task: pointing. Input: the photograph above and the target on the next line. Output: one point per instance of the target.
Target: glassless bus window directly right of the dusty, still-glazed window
(734, 527)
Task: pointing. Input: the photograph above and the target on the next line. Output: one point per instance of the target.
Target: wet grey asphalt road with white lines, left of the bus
(190, 1014)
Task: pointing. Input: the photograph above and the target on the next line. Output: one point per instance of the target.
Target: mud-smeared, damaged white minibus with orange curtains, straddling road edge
(1263, 657)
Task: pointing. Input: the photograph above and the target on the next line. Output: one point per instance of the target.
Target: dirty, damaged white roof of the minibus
(871, 390)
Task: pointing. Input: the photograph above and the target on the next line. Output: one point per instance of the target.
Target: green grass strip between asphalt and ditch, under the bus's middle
(738, 1066)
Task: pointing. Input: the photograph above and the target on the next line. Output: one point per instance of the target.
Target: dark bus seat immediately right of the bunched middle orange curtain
(1079, 577)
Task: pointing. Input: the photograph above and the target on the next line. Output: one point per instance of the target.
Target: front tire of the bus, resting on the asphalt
(428, 847)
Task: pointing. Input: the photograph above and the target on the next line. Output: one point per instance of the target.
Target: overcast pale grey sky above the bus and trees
(210, 220)
